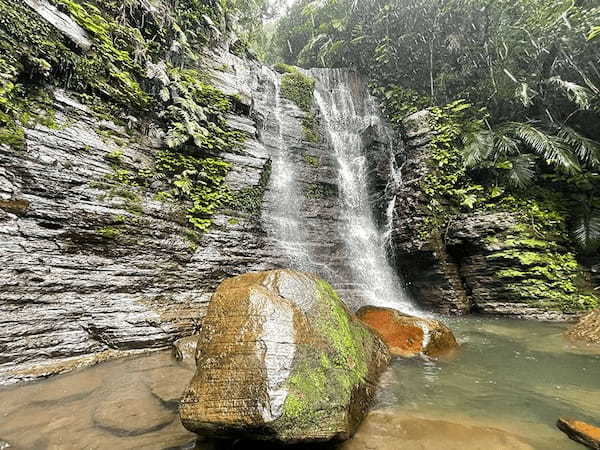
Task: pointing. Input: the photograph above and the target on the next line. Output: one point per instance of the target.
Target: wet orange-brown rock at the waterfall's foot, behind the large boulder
(409, 336)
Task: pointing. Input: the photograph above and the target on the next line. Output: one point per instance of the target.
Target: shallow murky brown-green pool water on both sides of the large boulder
(506, 389)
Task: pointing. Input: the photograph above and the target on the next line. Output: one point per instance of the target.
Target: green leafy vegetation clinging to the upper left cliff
(142, 71)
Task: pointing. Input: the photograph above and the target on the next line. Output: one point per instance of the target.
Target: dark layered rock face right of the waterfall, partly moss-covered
(514, 262)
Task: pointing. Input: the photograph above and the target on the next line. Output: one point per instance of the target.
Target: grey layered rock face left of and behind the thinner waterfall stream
(95, 267)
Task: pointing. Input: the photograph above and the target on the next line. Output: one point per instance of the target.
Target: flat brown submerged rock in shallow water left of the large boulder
(132, 411)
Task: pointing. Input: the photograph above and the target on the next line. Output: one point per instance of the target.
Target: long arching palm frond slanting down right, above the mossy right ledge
(554, 150)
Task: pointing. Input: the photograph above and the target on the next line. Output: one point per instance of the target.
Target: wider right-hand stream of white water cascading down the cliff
(346, 116)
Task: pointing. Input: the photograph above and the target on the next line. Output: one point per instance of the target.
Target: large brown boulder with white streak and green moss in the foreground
(280, 358)
